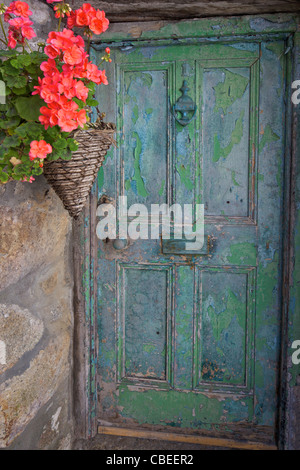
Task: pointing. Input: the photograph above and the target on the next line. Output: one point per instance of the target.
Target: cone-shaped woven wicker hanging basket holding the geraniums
(73, 179)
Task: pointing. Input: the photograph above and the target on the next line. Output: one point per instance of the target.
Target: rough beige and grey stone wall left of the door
(36, 318)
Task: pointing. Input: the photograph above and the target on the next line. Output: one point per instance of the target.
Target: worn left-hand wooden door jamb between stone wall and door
(85, 353)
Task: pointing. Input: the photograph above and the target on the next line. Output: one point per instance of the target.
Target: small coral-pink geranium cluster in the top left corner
(17, 16)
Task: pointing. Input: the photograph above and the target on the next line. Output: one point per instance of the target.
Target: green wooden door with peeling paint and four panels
(193, 342)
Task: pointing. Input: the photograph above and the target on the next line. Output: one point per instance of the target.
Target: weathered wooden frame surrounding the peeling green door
(85, 353)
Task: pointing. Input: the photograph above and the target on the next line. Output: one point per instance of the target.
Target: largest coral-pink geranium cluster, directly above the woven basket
(58, 89)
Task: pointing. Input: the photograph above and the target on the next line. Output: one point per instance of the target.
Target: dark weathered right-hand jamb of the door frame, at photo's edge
(289, 431)
